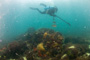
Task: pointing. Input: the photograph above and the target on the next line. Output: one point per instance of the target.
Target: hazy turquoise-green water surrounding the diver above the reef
(16, 17)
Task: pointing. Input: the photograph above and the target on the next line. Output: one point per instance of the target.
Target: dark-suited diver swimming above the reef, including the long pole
(50, 11)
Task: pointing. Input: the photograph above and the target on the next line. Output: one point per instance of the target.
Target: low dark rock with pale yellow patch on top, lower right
(75, 50)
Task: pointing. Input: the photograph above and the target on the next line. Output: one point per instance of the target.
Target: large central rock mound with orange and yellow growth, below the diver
(45, 43)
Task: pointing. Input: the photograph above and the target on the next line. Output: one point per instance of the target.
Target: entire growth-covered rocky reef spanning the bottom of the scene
(46, 44)
